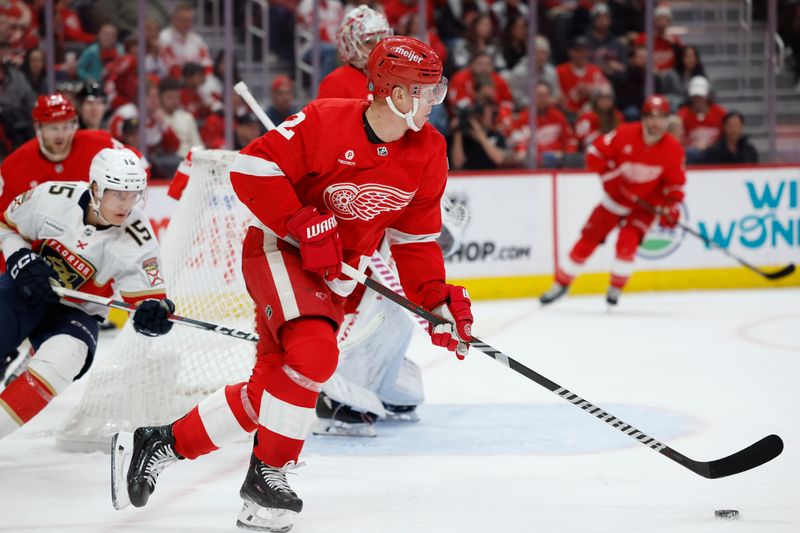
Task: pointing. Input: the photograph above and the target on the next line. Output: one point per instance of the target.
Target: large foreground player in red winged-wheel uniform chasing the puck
(334, 179)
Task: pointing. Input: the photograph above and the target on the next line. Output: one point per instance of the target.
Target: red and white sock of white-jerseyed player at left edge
(23, 399)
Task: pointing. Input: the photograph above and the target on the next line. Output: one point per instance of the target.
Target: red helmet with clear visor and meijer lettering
(402, 60)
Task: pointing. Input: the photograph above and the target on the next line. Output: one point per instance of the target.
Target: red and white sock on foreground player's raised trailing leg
(224, 416)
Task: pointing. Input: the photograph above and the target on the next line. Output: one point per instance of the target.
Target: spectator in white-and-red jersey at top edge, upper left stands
(179, 45)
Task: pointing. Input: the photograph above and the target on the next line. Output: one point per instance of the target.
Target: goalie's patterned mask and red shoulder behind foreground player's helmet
(358, 33)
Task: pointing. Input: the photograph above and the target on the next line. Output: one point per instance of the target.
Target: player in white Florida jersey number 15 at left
(92, 237)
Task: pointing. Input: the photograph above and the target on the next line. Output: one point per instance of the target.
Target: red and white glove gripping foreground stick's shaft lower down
(451, 303)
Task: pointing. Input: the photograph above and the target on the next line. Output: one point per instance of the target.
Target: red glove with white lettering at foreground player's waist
(320, 244)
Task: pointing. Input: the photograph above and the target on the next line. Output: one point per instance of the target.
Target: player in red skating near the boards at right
(641, 165)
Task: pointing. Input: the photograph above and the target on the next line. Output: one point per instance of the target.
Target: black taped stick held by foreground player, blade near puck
(754, 455)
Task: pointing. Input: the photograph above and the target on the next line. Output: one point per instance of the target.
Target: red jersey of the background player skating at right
(631, 168)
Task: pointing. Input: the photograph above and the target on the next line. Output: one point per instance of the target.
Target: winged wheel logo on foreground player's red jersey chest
(364, 202)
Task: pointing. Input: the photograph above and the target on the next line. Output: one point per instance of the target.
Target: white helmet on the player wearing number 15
(117, 169)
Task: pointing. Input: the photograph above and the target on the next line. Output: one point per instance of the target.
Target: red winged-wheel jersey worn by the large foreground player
(323, 157)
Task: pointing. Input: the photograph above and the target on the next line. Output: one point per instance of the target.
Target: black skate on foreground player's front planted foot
(270, 504)
